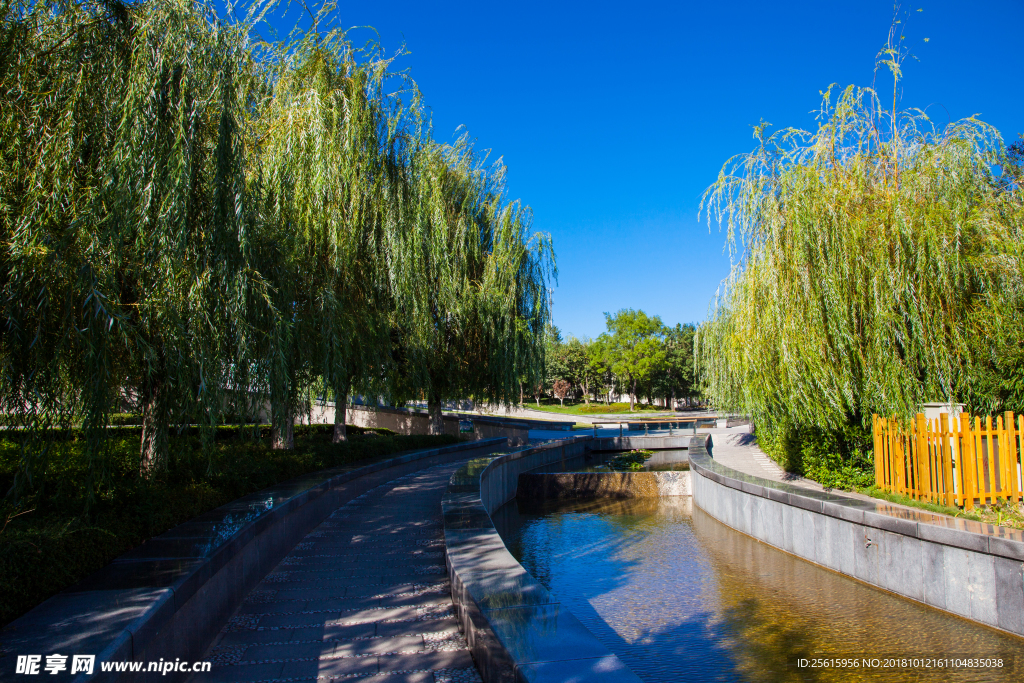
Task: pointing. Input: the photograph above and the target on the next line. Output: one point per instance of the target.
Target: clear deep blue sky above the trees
(615, 117)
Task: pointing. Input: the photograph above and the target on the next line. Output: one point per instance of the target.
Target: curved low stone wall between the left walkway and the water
(517, 630)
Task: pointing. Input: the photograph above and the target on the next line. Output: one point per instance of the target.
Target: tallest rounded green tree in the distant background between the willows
(634, 347)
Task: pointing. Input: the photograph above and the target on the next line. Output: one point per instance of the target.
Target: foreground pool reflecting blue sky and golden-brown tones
(680, 597)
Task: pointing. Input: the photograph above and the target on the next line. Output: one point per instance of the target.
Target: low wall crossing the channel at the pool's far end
(572, 486)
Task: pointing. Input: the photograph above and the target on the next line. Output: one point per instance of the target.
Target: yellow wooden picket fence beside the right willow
(960, 461)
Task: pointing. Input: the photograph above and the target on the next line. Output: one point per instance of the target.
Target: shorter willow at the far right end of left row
(472, 281)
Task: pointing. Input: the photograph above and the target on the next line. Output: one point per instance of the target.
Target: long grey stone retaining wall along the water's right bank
(965, 568)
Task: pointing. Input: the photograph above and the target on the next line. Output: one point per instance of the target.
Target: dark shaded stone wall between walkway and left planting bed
(169, 597)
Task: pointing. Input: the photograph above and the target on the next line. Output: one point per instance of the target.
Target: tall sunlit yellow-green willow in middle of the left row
(326, 157)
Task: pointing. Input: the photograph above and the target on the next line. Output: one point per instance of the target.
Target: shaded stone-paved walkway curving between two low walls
(364, 597)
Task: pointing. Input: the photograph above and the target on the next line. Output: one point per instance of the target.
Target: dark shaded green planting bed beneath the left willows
(49, 542)
